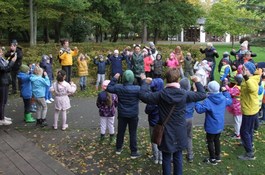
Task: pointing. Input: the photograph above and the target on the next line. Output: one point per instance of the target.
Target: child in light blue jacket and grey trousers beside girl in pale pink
(38, 89)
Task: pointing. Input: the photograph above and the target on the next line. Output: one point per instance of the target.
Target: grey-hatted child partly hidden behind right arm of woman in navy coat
(185, 84)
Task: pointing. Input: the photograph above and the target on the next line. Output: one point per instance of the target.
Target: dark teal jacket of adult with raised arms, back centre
(137, 62)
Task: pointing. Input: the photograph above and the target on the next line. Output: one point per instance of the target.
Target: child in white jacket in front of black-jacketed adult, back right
(203, 70)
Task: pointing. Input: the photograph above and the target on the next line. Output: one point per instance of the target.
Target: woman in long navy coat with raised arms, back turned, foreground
(174, 139)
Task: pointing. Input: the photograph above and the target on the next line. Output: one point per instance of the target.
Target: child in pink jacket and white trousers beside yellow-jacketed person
(235, 108)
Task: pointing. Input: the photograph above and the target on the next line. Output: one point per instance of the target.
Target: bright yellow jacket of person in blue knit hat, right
(249, 98)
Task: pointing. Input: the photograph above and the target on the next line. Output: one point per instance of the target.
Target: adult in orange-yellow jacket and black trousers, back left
(66, 57)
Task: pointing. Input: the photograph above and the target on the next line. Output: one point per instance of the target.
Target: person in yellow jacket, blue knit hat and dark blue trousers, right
(249, 107)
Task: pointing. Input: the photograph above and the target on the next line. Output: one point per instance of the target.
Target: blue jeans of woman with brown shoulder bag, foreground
(177, 162)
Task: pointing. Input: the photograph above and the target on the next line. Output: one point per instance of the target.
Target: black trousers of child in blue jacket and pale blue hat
(213, 139)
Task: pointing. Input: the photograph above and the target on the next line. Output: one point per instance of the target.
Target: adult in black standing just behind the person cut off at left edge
(14, 50)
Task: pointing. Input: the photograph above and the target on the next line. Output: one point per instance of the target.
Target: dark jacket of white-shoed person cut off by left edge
(5, 73)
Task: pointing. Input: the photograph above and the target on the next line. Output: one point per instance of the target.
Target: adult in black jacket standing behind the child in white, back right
(210, 54)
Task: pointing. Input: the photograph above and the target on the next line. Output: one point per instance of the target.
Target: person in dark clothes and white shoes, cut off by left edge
(5, 69)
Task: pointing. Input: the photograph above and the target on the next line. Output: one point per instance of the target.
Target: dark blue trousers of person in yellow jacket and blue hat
(246, 131)
